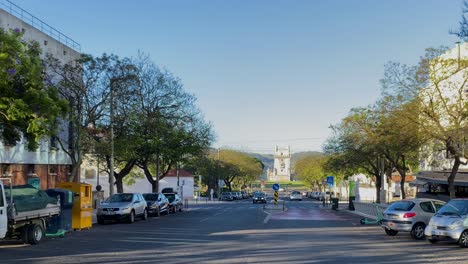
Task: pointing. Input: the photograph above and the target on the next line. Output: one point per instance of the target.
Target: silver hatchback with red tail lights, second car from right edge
(411, 215)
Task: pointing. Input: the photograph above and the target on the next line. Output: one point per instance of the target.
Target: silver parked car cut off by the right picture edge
(450, 223)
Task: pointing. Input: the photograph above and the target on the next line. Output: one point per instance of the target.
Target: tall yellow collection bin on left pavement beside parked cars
(82, 211)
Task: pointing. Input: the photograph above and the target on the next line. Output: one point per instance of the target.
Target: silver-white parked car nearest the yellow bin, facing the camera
(122, 206)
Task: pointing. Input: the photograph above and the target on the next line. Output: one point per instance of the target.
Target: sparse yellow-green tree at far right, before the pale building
(437, 85)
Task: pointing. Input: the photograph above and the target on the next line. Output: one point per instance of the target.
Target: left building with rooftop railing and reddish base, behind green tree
(48, 164)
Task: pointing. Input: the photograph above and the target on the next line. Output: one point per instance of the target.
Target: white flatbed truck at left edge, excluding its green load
(30, 226)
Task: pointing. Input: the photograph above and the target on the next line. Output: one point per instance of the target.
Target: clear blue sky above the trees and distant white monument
(264, 72)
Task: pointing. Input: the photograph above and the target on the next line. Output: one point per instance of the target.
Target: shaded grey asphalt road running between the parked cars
(236, 232)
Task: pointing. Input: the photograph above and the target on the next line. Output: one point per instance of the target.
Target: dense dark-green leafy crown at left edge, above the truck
(29, 104)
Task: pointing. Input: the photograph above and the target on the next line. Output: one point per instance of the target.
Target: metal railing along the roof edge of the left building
(35, 22)
